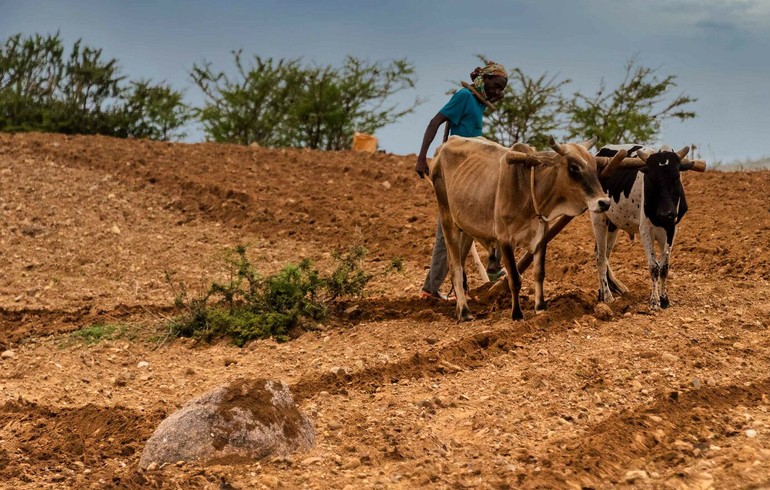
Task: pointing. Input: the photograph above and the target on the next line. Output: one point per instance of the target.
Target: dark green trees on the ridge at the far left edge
(40, 90)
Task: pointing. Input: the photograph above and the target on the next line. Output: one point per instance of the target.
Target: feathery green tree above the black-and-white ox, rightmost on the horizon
(632, 112)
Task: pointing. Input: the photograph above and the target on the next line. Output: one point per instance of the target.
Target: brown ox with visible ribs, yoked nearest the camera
(506, 196)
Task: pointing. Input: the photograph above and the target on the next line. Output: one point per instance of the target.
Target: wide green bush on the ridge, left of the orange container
(283, 103)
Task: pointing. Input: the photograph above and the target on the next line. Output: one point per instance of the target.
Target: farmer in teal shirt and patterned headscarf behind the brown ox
(464, 114)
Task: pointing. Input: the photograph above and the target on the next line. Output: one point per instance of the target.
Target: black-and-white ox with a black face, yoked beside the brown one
(649, 201)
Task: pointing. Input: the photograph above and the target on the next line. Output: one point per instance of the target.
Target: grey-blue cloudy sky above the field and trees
(715, 48)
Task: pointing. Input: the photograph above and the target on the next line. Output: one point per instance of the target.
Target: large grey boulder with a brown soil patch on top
(239, 423)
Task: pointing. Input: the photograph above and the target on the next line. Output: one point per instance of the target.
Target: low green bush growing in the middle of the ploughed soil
(250, 306)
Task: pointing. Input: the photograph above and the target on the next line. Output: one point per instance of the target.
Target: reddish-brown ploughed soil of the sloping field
(577, 396)
